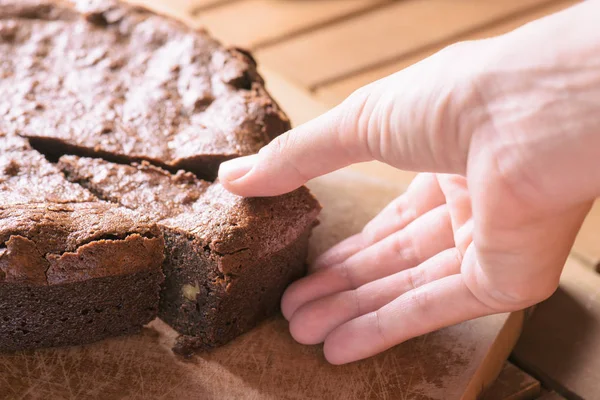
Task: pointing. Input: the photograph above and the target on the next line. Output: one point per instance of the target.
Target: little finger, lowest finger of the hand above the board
(438, 304)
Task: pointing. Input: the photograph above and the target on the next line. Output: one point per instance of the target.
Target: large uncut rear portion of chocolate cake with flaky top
(107, 79)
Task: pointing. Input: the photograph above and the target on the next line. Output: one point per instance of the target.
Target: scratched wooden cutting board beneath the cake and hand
(266, 363)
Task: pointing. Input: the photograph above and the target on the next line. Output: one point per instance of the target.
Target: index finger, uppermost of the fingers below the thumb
(422, 195)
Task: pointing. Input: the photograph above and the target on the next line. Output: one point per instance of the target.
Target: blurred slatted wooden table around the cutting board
(314, 53)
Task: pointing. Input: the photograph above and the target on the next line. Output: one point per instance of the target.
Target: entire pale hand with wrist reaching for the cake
(507, 134)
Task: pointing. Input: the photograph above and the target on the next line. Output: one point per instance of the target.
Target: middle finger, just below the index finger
(407, 248)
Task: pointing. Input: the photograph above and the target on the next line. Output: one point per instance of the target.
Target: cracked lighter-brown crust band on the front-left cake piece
(50, 244)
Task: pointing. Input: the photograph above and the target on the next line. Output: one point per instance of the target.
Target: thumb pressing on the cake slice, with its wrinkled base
(413, 120)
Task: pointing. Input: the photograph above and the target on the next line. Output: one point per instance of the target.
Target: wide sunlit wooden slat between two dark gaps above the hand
(385, 34)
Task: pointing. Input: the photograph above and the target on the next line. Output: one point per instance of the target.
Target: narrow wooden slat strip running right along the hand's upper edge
(335, 92)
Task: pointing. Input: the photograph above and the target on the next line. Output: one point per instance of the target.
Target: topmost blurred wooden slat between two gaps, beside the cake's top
(253, 23)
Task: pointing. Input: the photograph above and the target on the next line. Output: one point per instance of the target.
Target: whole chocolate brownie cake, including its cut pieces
(140, 109)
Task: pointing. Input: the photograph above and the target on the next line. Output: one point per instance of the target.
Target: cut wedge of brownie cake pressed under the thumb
(228, 259)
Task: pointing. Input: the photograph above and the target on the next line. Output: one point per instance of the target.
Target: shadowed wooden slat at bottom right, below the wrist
(560, 344)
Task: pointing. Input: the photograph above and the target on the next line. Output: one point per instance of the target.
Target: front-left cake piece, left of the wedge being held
(73, 269)
